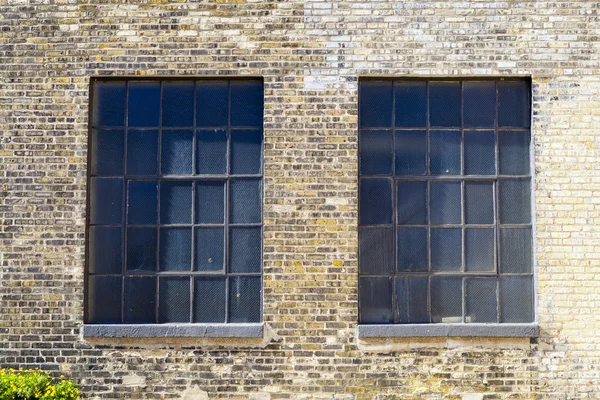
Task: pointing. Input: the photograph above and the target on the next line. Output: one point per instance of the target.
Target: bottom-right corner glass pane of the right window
(516, 298)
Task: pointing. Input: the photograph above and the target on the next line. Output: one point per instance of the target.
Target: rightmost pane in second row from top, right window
(513, 152)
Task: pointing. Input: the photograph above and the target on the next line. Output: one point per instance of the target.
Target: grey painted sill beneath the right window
(448, 330)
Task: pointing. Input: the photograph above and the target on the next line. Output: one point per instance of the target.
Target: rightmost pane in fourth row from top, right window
(515, 250)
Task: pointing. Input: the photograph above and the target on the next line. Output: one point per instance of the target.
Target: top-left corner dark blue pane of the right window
(375, 104)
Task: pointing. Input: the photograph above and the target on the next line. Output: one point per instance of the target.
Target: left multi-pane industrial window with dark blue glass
(175, 201)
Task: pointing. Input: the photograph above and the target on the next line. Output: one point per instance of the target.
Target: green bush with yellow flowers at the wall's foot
(35, 384)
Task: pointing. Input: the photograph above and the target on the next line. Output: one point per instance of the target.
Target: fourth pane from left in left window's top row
(212, 103)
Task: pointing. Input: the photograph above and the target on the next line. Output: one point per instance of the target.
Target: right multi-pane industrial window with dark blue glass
(445, 231)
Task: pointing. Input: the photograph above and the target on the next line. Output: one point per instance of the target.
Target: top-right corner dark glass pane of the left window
(246, 103)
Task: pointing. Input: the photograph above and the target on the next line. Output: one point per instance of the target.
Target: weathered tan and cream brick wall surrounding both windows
(310, 54)
